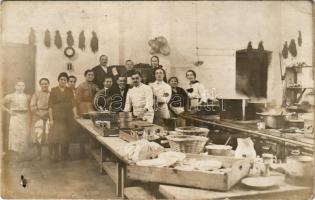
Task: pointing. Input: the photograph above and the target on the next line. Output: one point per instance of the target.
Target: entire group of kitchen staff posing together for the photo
(152, 98)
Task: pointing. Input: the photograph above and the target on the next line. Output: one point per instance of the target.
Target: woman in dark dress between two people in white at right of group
(178, 102)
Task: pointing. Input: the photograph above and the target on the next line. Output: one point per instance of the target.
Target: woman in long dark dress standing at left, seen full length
(61, 115)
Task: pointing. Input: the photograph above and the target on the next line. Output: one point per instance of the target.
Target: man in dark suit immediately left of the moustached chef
(118, 99)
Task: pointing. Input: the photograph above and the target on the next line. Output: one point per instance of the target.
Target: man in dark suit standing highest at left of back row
(102, 71)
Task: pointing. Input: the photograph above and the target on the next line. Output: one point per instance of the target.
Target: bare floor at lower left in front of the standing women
(68, 179)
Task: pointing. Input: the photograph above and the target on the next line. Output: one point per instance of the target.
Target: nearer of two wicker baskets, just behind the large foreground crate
(187, 144)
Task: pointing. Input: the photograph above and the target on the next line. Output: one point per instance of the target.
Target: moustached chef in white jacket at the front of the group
(140, 99)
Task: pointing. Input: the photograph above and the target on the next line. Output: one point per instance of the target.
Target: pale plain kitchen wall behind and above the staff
(124, 29)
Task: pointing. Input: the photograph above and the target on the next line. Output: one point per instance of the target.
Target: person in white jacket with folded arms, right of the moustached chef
(162, 95)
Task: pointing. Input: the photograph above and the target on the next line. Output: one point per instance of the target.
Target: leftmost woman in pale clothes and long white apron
(17, 105)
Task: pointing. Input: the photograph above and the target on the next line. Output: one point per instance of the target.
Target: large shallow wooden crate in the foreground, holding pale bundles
(214, 180)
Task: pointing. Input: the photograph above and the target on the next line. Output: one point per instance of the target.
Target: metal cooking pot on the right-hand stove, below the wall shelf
(273, 121)
